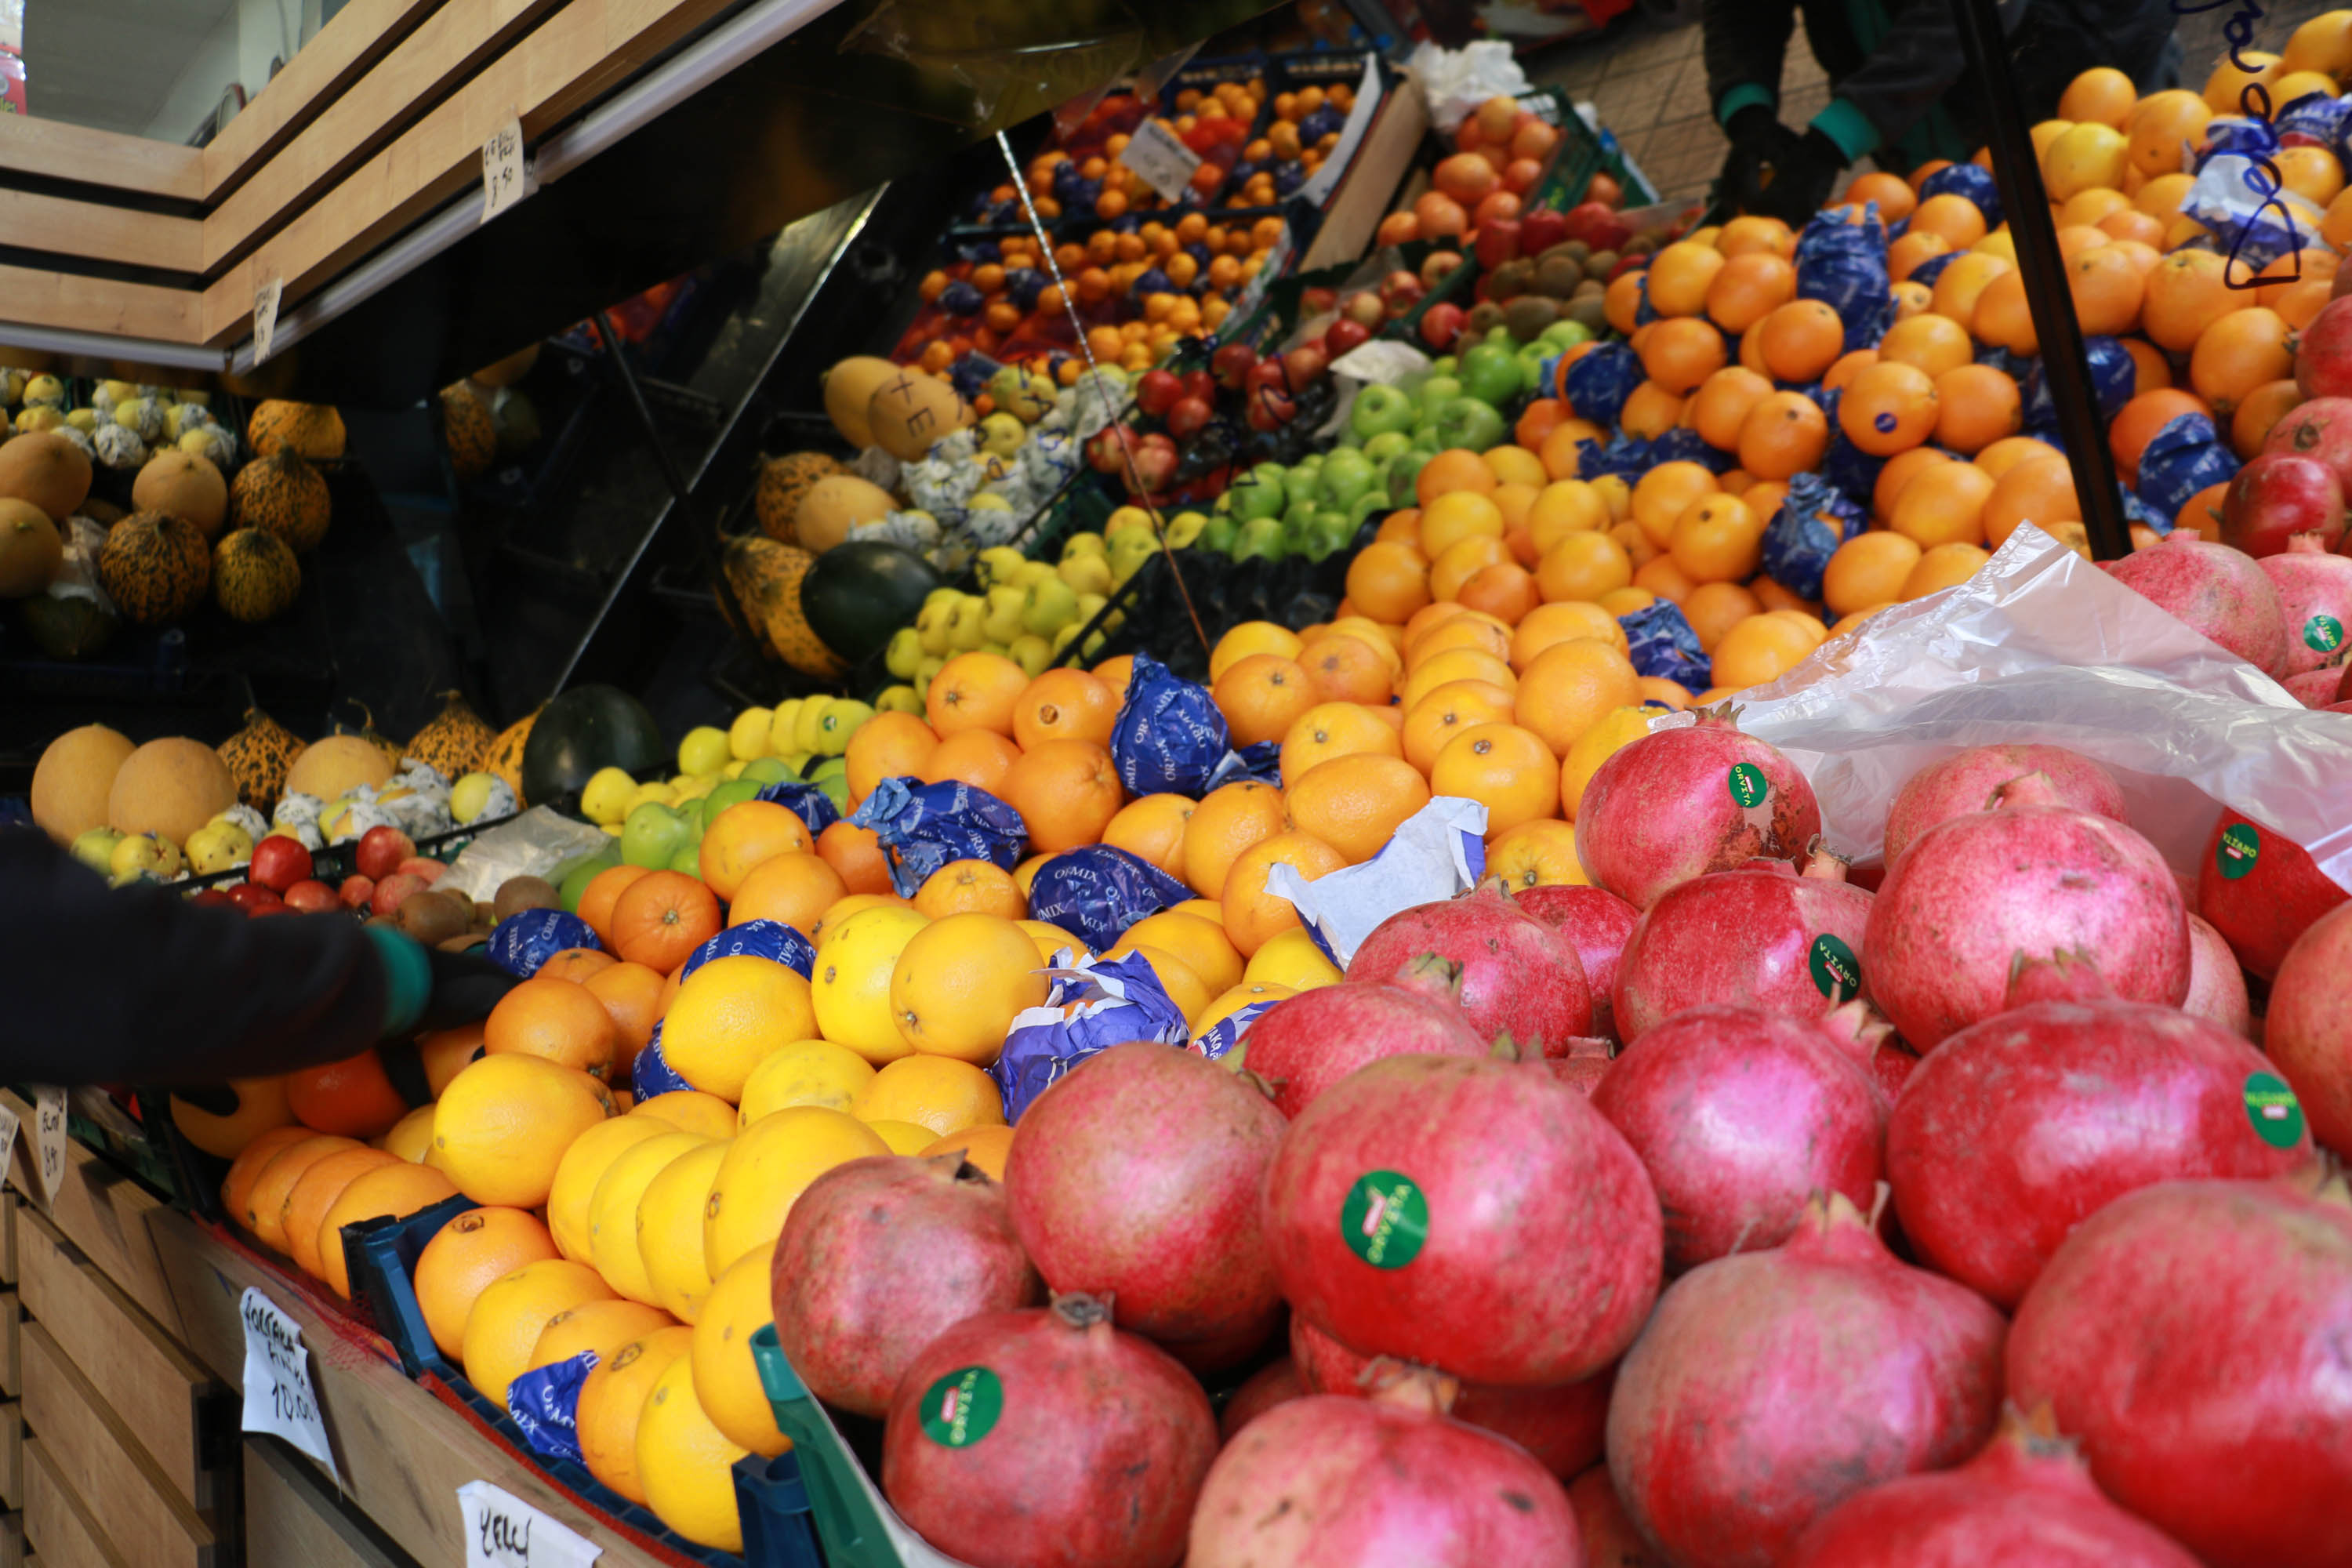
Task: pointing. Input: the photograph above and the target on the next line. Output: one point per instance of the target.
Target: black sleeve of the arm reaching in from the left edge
(116, 986)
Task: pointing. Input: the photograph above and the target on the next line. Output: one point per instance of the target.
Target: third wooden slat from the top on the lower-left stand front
(107, 1468)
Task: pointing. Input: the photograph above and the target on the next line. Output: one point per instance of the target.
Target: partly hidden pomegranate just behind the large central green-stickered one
(1314, 1040)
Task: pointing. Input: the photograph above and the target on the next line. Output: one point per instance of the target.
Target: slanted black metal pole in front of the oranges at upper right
(2029, 206)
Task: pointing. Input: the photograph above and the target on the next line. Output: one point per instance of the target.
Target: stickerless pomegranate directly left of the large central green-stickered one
(1137, 1181)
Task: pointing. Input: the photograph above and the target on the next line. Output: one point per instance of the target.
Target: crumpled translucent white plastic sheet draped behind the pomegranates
(2040, 645)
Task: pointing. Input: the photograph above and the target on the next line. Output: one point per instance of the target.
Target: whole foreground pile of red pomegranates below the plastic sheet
(1732, 1209)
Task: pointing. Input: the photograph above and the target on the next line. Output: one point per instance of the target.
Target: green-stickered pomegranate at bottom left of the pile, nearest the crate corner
(1048, 1440)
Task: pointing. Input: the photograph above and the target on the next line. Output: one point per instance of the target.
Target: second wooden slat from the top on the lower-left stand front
(152, 1383)
